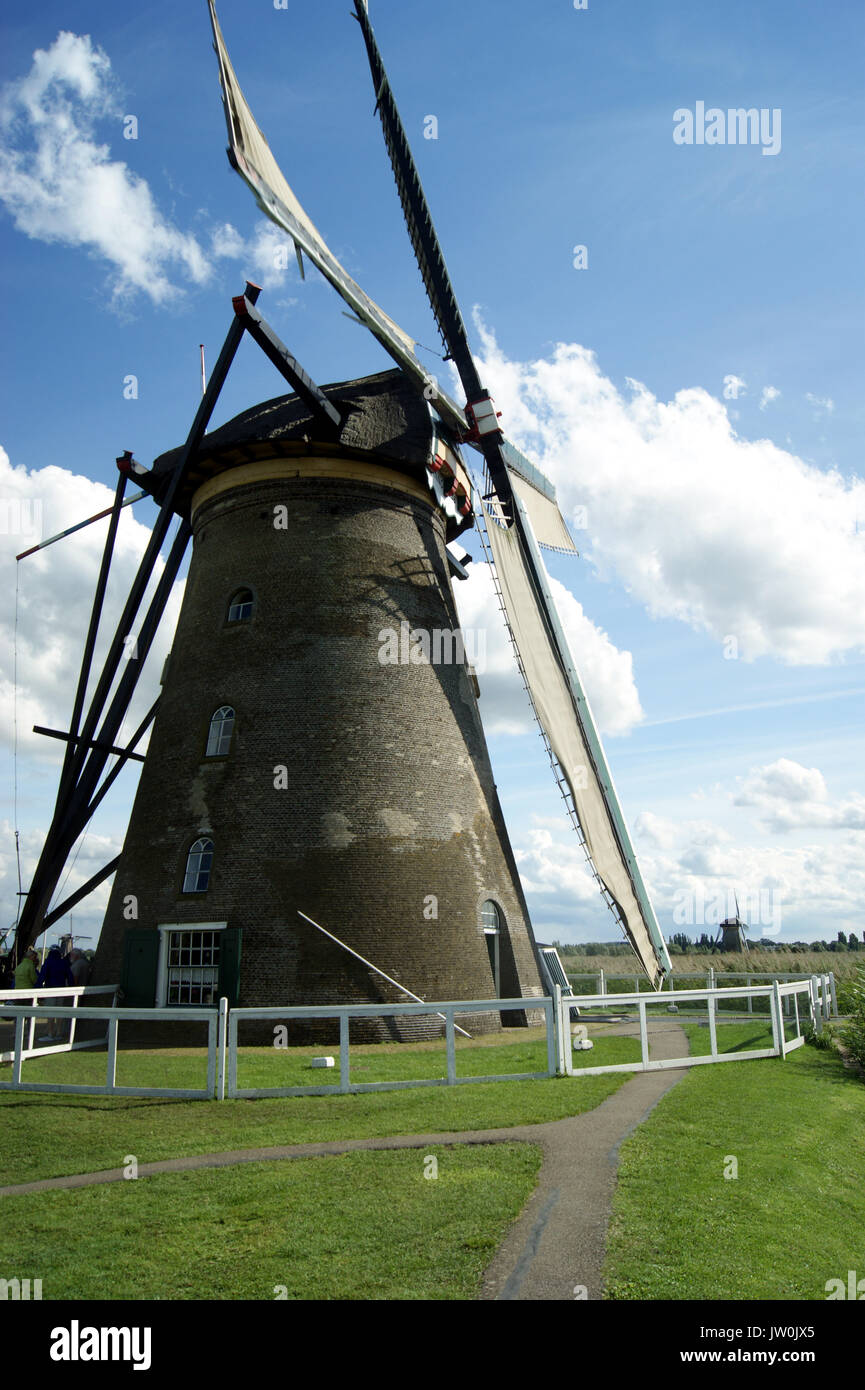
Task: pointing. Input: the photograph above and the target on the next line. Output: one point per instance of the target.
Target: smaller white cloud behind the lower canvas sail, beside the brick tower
(607, 672)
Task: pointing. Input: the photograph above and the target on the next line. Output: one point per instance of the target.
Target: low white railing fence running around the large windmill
(810, 1001)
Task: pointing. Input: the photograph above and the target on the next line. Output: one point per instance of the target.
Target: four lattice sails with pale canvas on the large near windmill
(531, 511)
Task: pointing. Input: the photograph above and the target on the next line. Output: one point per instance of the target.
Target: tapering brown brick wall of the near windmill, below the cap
(390, 799)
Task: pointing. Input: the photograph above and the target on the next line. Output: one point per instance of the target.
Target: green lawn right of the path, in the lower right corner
(795, 1217)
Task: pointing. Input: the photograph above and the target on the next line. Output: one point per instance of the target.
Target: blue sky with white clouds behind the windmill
(711, 270)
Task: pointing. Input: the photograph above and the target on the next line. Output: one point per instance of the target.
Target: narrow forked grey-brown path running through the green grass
(557, 1245)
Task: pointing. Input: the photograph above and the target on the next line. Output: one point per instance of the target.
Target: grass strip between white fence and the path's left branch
(49, 1136)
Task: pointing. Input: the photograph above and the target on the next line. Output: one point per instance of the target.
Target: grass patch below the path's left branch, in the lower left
(311, 1227)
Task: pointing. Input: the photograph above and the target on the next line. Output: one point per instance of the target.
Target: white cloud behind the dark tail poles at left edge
(55, 594)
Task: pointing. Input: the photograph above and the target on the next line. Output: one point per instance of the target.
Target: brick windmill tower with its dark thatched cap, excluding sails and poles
(319, 746)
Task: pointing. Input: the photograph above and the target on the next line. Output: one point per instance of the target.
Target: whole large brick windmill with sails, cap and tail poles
(314, 750)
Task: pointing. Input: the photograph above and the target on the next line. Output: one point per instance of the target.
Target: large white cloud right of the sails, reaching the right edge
(729, 536)
